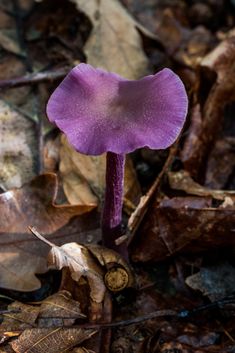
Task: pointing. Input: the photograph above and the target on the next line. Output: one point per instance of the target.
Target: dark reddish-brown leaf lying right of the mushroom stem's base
(183, 225)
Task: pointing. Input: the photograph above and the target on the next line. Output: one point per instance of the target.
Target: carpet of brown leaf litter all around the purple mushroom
(184, 224)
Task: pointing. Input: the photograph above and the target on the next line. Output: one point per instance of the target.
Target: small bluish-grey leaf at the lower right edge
(215, 282)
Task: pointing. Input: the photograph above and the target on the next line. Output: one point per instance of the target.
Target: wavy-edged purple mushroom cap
(100, 111)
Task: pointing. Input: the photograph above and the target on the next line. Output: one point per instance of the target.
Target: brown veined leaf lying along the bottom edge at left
(50, 340)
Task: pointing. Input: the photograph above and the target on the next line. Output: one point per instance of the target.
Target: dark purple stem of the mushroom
(112, 211)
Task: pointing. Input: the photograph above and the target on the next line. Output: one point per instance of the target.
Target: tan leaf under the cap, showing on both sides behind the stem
(84, 177)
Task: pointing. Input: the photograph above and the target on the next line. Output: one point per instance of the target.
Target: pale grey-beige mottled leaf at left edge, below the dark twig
(17, 141)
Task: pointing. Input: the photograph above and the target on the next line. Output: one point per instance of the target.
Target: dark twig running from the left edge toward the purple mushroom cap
(35, 78)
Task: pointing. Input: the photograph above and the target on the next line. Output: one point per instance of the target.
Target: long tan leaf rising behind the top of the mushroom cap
(109, 46)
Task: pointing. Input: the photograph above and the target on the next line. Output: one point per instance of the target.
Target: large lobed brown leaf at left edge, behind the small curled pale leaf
(21, 255)
